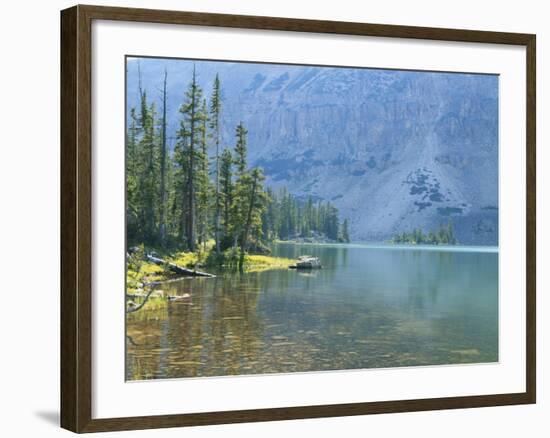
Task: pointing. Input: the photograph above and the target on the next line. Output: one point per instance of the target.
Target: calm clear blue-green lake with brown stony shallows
(369, 307)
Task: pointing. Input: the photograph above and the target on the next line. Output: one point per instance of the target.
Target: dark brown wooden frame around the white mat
(76, 218)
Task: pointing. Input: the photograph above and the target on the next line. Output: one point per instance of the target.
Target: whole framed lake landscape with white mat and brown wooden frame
(270, 218)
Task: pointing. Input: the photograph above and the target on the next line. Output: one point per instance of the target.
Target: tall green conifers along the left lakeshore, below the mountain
(203, 188)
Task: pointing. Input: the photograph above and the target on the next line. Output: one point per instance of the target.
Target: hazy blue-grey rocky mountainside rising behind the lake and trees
(393, 150)
